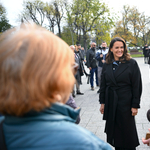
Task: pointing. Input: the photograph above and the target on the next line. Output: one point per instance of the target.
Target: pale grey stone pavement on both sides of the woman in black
(91, 117)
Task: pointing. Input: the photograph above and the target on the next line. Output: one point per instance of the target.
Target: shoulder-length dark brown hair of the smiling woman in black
(110, 56)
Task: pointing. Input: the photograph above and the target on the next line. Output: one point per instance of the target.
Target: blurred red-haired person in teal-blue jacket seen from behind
(36, 80)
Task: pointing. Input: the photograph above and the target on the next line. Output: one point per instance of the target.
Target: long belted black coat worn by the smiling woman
(120, 91)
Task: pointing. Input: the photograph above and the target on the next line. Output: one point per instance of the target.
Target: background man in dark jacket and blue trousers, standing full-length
(91, 63)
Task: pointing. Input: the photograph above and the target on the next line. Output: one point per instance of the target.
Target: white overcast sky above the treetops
(14, 7)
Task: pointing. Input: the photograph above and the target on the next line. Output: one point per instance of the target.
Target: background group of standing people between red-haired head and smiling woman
(95, 58)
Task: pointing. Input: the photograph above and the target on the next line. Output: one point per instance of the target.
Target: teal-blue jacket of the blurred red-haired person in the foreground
(51, 129)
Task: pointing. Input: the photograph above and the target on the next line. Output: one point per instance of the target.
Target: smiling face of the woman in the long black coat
(117, 50)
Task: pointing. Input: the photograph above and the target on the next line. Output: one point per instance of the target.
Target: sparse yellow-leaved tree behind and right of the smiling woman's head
(133, 25)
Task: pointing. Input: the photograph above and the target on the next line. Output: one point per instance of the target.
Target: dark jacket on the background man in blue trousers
(90, 59)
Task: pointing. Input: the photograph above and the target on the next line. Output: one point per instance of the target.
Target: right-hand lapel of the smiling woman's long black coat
(121, 68)
